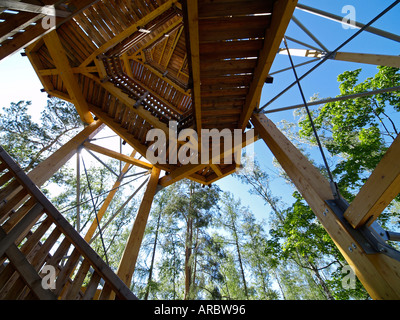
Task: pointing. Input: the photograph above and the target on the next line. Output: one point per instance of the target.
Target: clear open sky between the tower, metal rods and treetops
(18, 80)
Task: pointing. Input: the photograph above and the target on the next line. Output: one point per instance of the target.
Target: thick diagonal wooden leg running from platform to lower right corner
(377, 272)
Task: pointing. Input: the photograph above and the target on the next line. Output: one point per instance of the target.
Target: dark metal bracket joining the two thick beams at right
(372, 238)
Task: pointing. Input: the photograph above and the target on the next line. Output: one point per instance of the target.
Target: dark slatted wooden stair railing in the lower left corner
(34, 235)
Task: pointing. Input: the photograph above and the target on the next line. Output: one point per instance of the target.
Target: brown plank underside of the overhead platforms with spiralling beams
(138, 64)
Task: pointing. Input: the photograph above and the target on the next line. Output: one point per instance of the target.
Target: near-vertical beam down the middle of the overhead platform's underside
(193, 31)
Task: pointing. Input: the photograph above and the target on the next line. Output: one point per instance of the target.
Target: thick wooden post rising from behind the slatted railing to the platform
(131, 252)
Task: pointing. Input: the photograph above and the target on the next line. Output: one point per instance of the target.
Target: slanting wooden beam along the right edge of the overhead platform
(282, 13)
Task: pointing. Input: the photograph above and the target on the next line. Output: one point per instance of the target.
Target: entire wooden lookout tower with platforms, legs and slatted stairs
(137, 65)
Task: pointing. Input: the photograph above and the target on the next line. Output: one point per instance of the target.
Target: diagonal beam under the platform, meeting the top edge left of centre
(129, 31)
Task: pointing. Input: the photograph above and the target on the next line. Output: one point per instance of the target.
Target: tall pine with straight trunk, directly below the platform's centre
(187, 211)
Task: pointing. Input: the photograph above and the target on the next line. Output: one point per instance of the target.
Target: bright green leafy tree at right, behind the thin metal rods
(359, 131)
